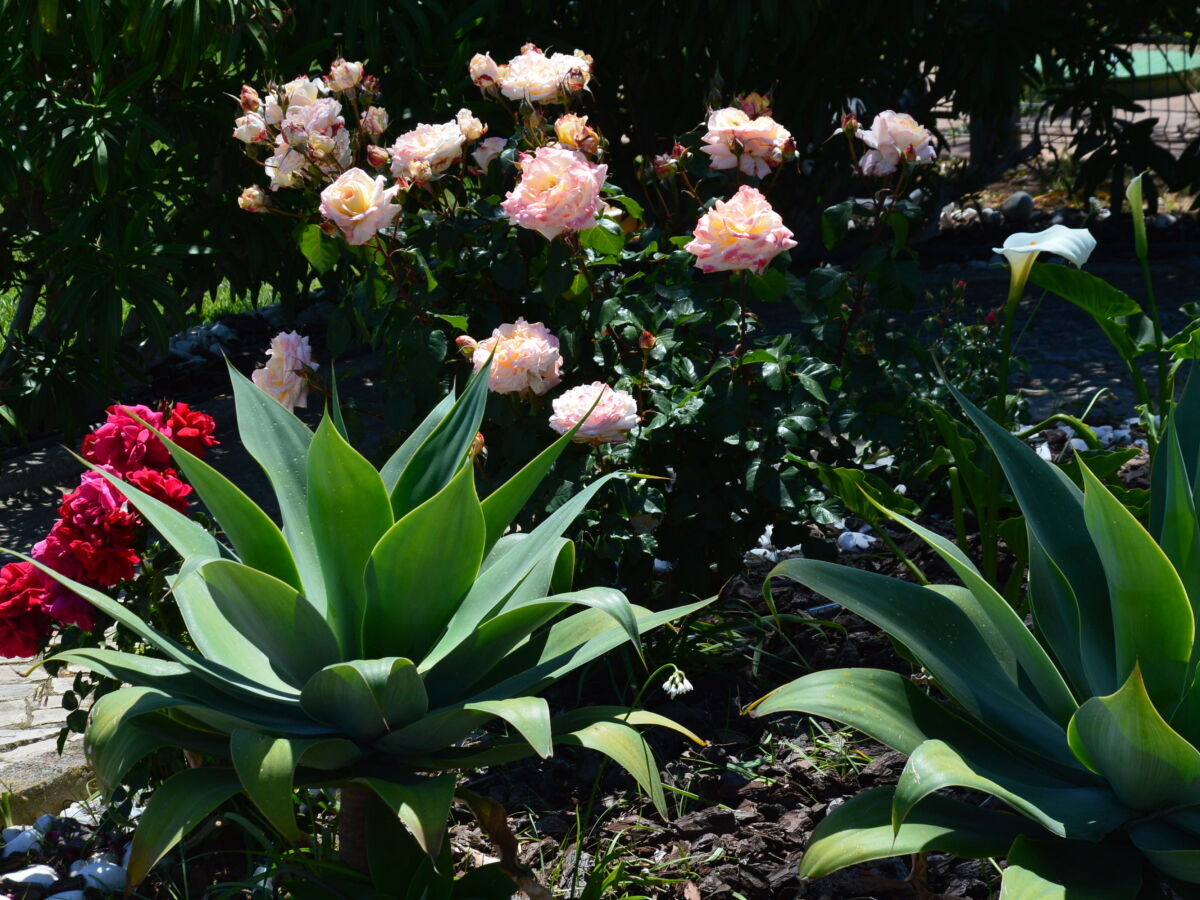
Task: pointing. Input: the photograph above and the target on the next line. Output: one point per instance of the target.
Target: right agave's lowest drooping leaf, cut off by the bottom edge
(1071, 871)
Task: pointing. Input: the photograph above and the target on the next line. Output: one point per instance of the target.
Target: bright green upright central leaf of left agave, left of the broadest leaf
(349, 512)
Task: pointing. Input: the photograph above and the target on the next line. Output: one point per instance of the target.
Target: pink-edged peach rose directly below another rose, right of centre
(741, 233)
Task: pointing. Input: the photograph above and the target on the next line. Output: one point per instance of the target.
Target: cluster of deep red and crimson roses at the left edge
(98, 536)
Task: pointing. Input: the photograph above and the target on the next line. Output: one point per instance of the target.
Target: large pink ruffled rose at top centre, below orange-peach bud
(560, 191)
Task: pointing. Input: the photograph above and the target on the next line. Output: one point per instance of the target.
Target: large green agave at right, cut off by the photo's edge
(1084, 728)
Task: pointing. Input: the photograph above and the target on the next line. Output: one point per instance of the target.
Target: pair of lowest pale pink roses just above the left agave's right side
(526, 359)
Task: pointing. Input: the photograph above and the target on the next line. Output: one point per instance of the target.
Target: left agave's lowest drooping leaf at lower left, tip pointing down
(176, 808)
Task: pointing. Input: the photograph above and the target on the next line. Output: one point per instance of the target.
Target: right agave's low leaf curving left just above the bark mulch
(861, 831)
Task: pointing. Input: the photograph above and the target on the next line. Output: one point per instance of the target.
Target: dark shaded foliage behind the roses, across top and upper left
(118, 178)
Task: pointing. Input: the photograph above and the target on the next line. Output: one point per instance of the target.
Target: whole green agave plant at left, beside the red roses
(359, 645)
